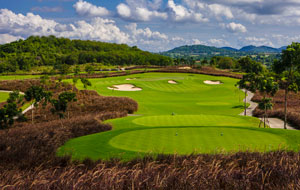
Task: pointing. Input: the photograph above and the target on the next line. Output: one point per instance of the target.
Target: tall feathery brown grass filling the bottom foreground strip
(274, 171)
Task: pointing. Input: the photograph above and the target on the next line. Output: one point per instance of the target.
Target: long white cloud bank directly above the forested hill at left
(30, 24)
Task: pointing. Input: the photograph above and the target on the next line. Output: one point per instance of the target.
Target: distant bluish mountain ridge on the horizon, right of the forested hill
(202, 49)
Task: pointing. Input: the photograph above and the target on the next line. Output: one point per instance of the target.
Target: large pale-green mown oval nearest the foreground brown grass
(203, 140)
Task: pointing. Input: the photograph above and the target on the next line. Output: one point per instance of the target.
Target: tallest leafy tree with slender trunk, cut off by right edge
(287, 68)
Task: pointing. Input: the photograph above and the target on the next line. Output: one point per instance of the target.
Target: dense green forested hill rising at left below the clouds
(37, 51)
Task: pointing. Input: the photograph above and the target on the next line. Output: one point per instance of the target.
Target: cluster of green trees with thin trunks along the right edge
(284, 74)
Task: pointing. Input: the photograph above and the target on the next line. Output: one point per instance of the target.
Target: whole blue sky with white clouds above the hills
(155, 25)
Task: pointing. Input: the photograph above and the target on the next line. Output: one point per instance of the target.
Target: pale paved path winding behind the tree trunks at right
(272, 122)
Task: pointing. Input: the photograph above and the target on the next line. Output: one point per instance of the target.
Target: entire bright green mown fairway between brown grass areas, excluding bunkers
(199, 113)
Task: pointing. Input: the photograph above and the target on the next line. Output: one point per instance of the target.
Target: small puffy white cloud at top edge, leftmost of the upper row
(84, 8)
